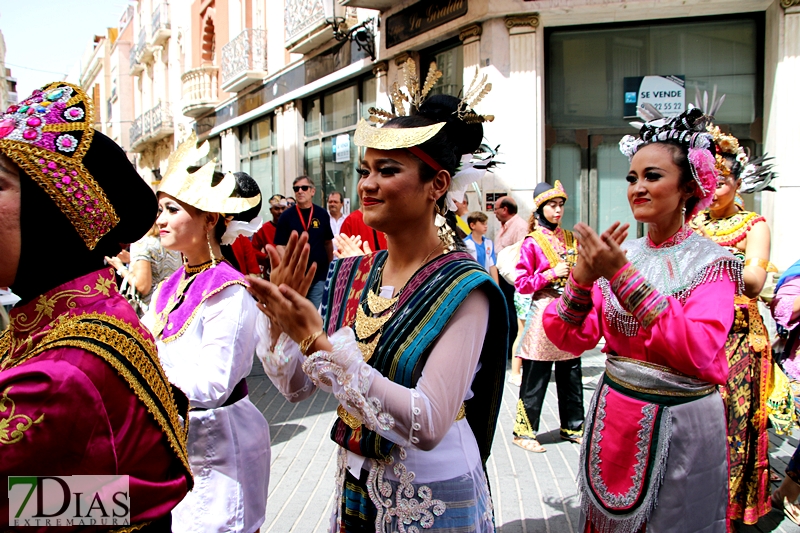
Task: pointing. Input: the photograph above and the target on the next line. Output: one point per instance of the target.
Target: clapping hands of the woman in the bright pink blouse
(599, 255)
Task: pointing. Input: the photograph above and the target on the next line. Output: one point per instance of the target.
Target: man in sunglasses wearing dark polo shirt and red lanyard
(313, 219)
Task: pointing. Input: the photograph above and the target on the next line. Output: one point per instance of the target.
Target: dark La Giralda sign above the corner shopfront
(421, 17)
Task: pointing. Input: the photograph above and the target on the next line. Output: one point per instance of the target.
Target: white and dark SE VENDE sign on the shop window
(666, 93)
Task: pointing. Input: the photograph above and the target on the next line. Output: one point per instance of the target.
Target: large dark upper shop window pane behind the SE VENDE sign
(587, 68)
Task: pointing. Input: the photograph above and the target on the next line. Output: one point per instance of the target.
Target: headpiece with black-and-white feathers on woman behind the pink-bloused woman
(756, 174)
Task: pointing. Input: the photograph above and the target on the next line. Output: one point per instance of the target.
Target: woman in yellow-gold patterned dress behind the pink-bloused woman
(745, 234)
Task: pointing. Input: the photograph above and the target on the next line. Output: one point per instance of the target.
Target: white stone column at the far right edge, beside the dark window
(782, 128)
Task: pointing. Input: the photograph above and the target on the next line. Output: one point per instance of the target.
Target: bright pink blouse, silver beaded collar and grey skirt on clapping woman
(665, 317)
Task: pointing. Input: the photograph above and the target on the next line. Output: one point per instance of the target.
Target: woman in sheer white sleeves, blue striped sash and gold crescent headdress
(408, 339)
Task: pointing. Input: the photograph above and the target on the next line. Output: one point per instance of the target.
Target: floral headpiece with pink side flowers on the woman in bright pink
(688, 129)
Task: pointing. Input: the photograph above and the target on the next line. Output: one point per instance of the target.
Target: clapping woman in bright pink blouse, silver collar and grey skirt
(654, 453)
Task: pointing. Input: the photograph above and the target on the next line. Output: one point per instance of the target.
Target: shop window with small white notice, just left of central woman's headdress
(330, 156)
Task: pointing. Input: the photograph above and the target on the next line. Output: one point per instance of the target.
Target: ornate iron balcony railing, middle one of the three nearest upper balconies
(244, 60)
